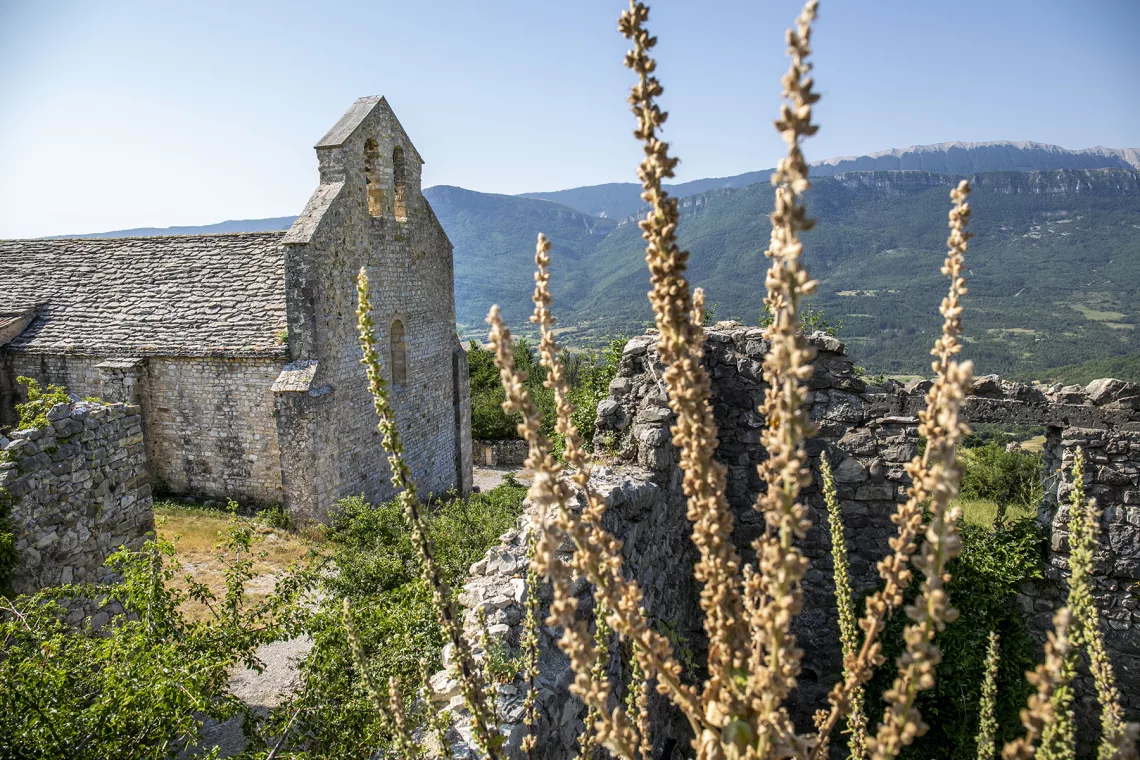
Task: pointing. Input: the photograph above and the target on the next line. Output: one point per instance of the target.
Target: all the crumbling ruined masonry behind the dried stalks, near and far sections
(868, 434)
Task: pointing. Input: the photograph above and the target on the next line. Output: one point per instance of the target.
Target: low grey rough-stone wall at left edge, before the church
(78, 491)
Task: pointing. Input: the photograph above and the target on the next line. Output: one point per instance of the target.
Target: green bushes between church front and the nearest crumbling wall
(378, 571)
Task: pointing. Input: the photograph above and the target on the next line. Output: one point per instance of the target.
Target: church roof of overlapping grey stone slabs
(188, 296)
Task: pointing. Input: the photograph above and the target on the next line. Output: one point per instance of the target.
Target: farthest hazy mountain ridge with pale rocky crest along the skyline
(622, 200)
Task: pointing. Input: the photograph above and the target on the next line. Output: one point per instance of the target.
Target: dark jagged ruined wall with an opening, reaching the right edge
(869, 434)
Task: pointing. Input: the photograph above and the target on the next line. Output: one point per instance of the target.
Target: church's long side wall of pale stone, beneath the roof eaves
(209, 421)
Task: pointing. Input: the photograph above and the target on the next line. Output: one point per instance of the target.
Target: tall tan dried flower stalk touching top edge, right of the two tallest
(775, 593)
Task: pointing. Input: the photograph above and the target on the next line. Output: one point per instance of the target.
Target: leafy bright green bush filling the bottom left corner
(143, 685)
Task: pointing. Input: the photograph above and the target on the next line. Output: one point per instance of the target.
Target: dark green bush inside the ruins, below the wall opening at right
(983, 587)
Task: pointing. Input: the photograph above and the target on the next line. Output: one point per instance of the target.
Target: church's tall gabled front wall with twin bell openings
(409, 261)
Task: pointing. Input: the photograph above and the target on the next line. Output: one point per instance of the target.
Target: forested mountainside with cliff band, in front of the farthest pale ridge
(1054, 273)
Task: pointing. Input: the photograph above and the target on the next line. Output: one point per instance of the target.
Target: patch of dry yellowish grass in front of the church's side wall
(197, 533)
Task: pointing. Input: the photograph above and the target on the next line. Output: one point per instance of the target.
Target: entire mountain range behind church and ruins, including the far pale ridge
(1055, 271)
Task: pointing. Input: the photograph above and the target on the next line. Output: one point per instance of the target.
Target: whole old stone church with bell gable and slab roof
(242, 350)
